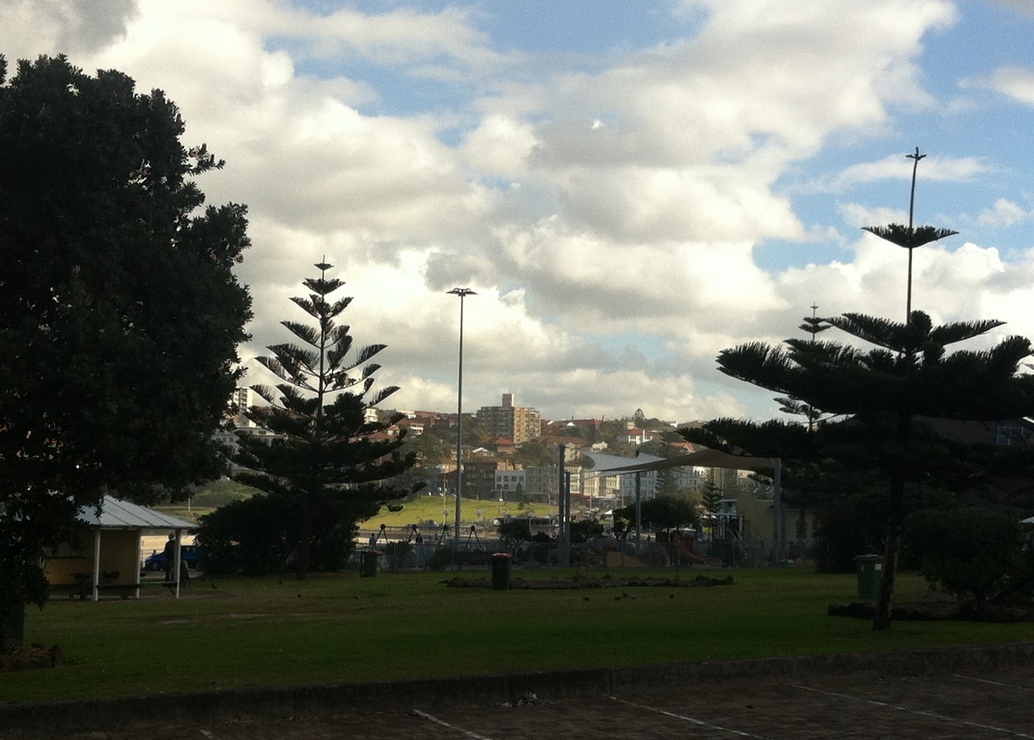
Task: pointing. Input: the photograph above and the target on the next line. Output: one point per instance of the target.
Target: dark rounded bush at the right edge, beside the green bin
(974, 552)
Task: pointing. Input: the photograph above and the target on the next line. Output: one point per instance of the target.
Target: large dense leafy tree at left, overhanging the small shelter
(120, 315)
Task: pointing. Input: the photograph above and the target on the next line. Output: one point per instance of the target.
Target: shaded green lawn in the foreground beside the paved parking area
(228, 634)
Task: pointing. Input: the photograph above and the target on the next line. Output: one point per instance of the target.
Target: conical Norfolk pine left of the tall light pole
(324, 447)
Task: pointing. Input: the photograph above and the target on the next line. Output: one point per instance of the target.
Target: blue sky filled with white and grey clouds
(629, 188)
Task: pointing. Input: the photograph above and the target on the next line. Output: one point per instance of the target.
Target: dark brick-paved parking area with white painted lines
(946, 706)
